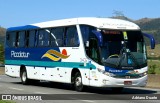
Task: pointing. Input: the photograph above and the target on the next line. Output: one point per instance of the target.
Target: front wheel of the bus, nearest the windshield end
(78, 85)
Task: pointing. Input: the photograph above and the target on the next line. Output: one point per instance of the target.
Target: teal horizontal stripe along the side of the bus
(50, 64)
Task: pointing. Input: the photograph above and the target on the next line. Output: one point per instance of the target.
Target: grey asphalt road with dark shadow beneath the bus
(60, 93)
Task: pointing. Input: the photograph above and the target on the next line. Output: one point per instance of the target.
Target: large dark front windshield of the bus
(123, 49)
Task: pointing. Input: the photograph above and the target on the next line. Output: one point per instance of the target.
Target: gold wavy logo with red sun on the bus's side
(55, 55)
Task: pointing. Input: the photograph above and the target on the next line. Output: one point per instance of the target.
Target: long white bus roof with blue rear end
(107, 23)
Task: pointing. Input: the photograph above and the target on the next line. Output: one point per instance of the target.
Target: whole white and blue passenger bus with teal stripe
(84, 51)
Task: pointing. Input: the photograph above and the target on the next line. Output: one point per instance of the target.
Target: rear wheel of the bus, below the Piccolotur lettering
(24, 78)
